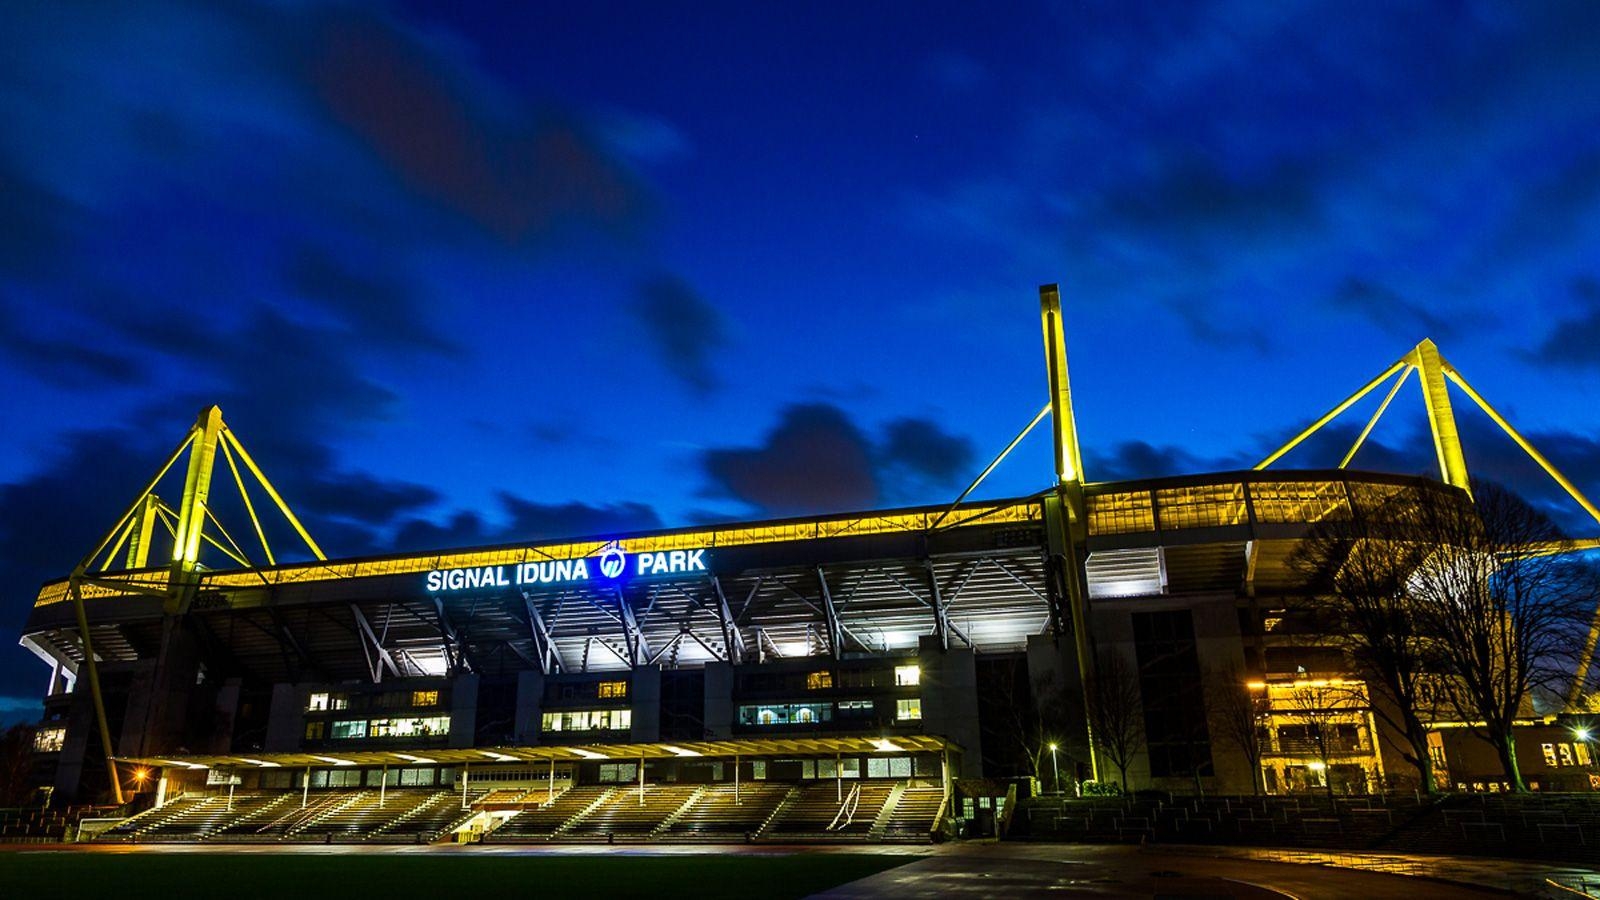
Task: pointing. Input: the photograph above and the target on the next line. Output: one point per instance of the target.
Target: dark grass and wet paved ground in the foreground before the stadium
(574, 872)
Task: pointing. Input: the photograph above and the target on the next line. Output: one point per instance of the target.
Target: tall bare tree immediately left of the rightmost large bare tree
(1359, 574)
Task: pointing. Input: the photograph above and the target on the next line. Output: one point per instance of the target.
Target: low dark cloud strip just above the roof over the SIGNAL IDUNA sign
(526, 521)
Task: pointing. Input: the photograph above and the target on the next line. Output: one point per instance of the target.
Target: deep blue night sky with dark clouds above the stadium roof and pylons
(462, 273)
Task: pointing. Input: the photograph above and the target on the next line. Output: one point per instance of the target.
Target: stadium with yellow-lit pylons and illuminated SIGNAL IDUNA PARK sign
(892, 675)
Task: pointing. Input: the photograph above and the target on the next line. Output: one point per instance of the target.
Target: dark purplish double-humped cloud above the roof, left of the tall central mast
(818, 460)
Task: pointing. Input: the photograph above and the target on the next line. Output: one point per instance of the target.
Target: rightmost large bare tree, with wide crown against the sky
(1505, 608)
